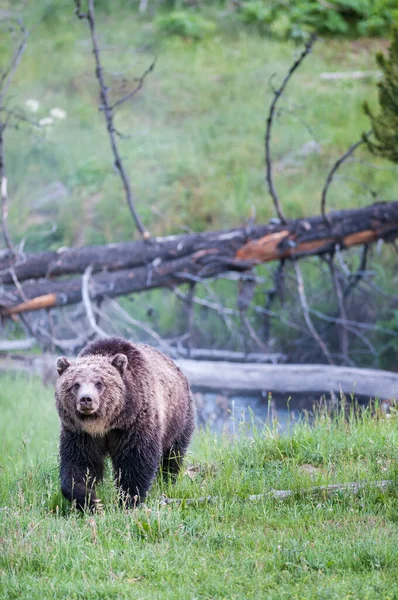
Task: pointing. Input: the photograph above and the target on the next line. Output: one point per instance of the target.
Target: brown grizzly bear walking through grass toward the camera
(128, 401)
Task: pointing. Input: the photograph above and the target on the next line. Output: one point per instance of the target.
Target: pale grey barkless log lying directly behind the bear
(249, 378)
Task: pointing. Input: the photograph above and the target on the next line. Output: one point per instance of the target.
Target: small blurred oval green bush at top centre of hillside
(185, 24)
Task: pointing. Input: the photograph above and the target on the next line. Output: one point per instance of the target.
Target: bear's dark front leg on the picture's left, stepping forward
(81, 467)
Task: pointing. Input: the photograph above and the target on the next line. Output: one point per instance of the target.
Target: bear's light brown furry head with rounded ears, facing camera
(90, 392)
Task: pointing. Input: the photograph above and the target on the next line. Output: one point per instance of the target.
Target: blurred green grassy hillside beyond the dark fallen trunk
(196, 155)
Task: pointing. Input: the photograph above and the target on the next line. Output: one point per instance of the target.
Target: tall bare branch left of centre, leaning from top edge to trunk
(107, 109)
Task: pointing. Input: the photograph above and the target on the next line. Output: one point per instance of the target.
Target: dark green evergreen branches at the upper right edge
(385, 124)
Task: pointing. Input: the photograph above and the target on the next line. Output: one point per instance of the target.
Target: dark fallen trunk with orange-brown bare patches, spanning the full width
(128, 267)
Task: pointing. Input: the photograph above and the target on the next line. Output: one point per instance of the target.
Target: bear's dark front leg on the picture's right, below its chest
(135, 463)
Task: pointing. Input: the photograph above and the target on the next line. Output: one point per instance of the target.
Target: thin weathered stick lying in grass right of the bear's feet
(319, 491)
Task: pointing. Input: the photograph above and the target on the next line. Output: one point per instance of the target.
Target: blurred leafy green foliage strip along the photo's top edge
(279, 18)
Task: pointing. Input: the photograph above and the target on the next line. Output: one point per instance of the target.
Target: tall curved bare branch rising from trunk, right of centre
(277, 94)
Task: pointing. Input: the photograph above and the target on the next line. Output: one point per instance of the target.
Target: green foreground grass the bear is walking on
(342, 547)
